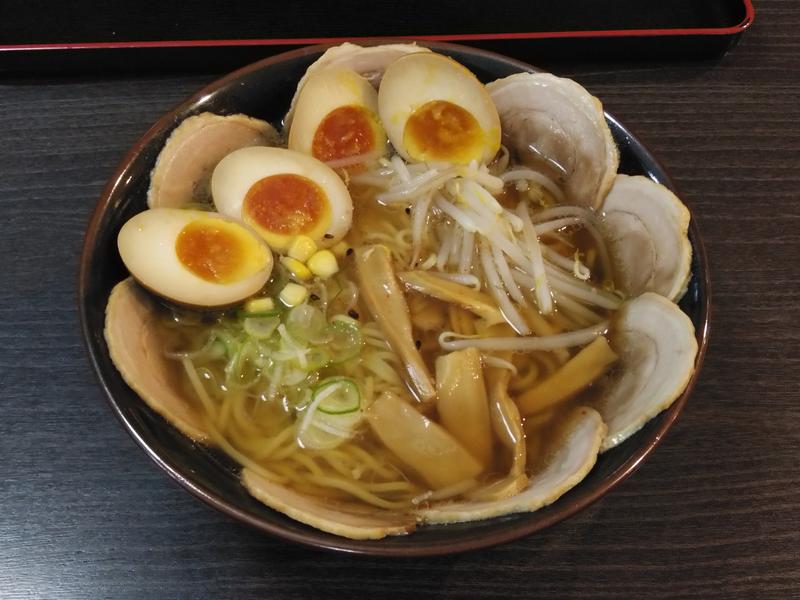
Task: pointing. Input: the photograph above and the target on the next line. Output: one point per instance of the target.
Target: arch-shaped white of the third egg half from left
(325, 91)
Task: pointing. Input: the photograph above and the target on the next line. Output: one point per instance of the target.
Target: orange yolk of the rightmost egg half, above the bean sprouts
(441, 130)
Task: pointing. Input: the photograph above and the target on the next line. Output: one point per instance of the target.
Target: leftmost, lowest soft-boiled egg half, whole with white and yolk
(194, 257)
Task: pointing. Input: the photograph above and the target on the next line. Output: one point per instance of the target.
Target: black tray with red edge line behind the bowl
(147, 34)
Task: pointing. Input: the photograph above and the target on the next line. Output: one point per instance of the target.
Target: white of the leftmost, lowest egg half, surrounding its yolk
(146, 244)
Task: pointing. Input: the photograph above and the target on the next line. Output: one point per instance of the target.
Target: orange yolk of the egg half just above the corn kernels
(287, 205)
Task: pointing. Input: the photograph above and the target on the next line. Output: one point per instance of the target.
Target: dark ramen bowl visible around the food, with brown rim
(264, 90)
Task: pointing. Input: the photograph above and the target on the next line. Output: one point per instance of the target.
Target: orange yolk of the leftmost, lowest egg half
(217, 251)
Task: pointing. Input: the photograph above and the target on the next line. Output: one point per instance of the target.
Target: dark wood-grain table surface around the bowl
(713, 513)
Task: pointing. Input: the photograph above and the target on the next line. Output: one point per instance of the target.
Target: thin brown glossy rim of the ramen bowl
(313, 538)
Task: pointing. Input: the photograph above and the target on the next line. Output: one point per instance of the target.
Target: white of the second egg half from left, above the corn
(236, 173)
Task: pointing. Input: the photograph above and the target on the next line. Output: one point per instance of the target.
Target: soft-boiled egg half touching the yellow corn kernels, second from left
(282, 194)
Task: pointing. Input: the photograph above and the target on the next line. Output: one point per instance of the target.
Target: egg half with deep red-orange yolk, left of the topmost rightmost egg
(336, 118)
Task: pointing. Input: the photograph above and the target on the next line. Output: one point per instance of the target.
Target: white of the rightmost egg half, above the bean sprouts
(417, 79)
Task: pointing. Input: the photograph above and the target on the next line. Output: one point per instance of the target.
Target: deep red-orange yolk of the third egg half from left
(344, 132)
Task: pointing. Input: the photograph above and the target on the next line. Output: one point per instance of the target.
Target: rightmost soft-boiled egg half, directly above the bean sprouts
(434, 109)
